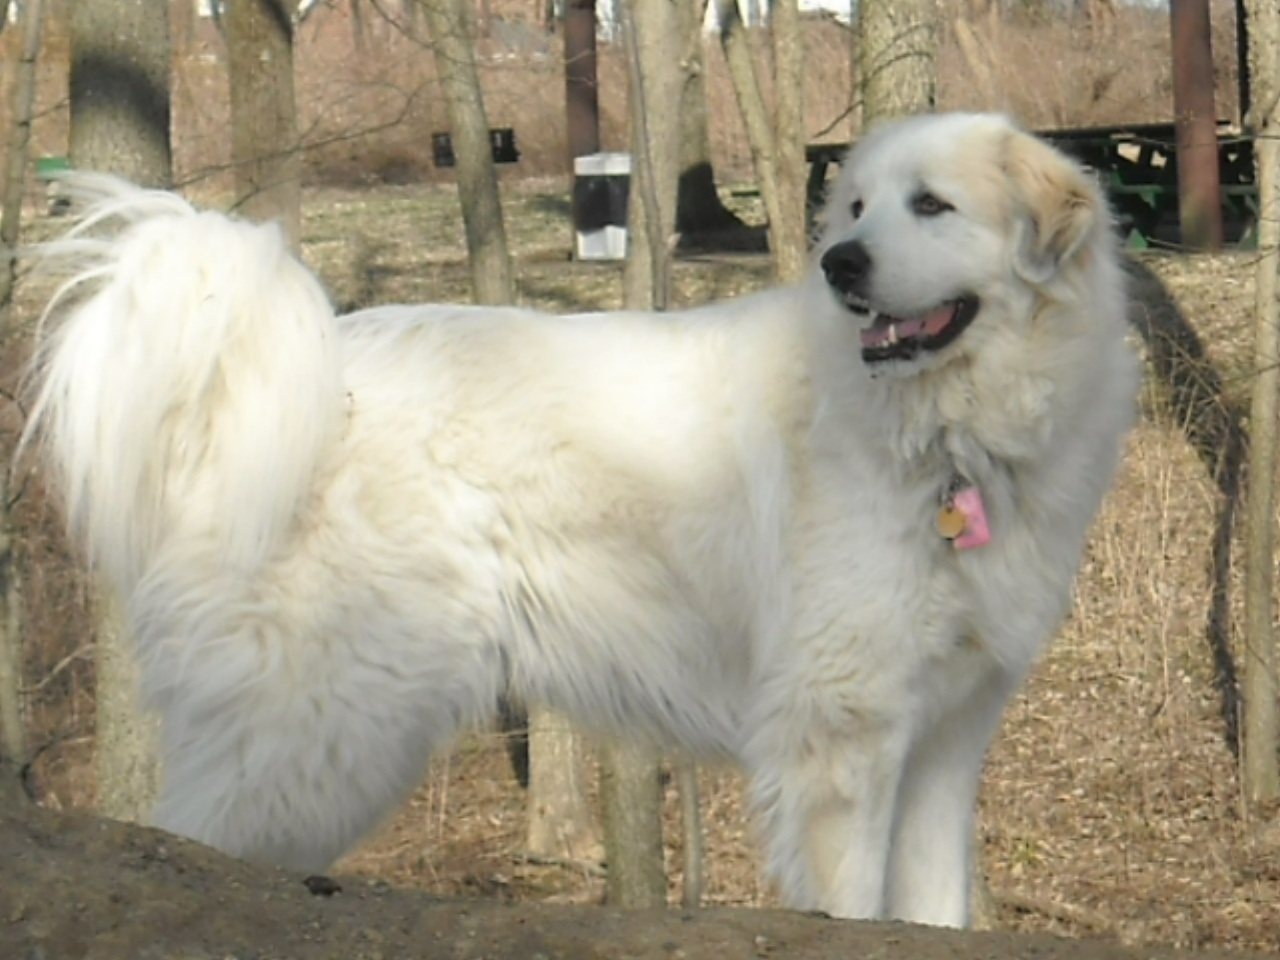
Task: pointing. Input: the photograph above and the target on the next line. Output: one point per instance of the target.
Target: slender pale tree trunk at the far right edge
(1261, 743)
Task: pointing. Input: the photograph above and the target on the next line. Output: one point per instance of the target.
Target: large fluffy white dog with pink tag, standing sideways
(821, 532)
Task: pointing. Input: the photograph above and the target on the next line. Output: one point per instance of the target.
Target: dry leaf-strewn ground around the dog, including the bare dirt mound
(1112, 807)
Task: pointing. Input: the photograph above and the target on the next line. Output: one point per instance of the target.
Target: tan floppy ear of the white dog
(1059, 205)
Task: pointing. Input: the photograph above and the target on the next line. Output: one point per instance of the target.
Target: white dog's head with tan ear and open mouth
(944, 226)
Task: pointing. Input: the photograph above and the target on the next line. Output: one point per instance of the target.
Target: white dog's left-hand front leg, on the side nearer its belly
(829, 811)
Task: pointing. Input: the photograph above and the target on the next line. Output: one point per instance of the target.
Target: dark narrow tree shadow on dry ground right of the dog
(1214, 426)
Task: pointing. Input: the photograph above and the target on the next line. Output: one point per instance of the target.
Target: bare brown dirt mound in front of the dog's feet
(79, 886)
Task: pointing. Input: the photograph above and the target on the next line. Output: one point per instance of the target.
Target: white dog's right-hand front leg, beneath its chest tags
(931, 862)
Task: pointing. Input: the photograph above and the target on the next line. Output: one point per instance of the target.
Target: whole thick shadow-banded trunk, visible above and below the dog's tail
(120, 124)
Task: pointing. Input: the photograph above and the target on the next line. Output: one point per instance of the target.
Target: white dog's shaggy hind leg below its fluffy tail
(287, 749)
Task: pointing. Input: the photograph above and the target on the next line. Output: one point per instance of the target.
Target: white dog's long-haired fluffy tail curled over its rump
(186, 381)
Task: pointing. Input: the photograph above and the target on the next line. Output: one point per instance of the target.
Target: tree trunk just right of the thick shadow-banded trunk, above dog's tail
(266, 150)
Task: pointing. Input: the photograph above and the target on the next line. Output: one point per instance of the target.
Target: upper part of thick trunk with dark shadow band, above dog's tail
(120, 89)
